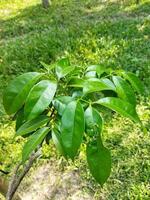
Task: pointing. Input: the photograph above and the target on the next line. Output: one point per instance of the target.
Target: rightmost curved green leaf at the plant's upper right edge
(135, 82)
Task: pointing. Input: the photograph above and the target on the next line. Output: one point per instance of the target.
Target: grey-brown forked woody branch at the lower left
(16, 180)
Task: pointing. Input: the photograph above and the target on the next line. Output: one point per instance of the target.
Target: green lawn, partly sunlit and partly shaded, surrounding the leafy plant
(115, 33)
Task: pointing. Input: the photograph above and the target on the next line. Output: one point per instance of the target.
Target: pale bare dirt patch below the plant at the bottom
(50, 182)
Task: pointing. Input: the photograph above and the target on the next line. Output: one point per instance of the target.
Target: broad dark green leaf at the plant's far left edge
(16, 92)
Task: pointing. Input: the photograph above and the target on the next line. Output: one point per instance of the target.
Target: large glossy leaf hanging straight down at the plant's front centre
(72, 128)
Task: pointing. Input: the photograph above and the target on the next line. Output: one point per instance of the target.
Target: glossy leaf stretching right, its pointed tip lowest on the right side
(122, 107)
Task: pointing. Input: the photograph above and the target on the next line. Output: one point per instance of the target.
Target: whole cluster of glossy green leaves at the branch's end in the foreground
(69, 117)
